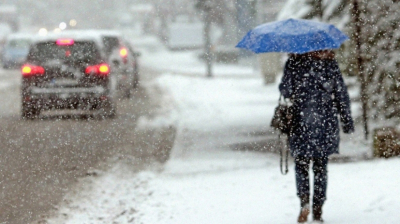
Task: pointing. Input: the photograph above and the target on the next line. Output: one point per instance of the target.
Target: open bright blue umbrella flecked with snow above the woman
(292, 36)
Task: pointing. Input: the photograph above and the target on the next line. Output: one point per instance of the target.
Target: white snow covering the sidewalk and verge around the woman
(206, 181)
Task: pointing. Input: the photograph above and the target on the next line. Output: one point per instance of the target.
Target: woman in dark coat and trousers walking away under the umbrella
(314, 84)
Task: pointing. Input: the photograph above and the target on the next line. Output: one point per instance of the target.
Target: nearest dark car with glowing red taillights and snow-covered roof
(67, 71)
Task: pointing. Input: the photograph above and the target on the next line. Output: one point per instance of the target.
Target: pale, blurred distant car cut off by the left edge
(15, 50)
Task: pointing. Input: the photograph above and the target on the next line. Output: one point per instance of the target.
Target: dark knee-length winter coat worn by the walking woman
(319, 95)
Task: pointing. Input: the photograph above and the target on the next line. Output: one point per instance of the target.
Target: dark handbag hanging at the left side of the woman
(283, 117)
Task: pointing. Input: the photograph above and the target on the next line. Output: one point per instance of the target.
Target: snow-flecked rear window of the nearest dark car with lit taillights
(78, 52)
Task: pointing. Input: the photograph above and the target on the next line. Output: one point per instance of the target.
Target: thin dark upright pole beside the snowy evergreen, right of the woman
(360, 65)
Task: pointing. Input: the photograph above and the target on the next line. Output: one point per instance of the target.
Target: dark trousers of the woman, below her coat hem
(302, 167)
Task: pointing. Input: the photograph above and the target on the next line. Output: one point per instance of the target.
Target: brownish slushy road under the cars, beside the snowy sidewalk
(42, 159)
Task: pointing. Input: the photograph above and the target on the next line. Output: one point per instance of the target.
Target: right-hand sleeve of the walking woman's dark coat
(342, 100)
